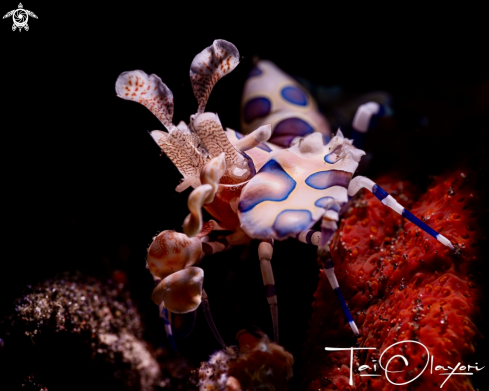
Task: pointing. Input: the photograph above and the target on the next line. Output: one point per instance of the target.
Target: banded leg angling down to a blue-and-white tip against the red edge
(328, 228)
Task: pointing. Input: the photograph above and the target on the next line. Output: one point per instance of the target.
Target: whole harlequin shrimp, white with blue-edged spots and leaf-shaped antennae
(276, 182)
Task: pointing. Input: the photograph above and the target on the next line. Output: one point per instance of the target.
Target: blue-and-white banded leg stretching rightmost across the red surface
(362, 182)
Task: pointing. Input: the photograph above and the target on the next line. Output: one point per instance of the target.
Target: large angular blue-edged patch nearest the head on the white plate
(259, 194)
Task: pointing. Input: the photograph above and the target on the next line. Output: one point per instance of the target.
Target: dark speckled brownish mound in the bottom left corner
(76, 332)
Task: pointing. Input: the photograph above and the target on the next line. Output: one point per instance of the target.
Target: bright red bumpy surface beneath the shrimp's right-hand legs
(401, 284)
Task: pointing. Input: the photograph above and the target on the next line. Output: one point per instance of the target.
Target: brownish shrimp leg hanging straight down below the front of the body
(265, 252)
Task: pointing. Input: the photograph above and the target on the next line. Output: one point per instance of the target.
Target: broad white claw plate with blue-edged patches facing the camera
(286, 195)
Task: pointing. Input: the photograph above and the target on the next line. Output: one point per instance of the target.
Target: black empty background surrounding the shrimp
(84, 186)
